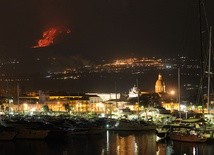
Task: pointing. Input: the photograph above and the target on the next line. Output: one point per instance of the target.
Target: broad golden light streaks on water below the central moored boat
(131, 143)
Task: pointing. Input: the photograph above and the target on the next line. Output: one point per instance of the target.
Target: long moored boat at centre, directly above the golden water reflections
(129, 125)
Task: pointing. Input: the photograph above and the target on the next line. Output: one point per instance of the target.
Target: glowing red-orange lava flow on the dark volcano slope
(49, 36)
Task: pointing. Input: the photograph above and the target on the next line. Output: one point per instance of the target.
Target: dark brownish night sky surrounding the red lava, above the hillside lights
(102, 29)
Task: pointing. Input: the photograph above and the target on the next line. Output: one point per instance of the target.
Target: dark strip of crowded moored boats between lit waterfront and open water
(67, 125)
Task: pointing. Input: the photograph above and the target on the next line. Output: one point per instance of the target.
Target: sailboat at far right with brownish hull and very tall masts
(198, 130)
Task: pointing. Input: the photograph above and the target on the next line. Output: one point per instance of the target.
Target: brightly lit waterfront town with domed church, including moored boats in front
(93, 113)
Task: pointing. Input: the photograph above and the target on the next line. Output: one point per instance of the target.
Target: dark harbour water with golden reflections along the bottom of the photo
(109, 143)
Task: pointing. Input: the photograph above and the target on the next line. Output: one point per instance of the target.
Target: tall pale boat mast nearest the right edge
(209, 64)
